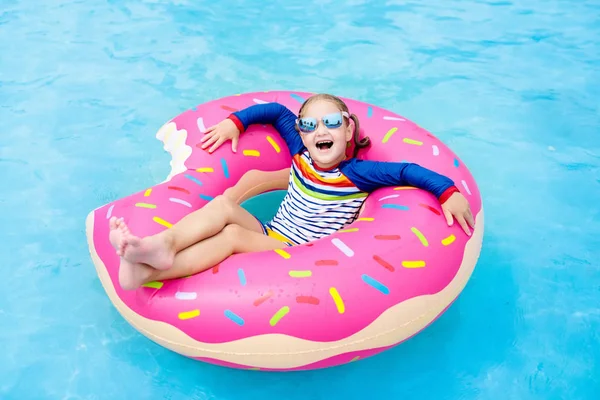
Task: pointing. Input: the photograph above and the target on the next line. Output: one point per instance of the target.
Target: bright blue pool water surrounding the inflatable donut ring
(509, 86)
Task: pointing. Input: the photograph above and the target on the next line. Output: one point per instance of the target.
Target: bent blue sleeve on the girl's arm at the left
(282, 119)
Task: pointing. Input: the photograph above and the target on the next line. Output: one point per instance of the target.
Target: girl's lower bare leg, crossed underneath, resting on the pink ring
(200, 256)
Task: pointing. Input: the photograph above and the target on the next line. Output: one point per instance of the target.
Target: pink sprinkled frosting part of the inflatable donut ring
(241, 296)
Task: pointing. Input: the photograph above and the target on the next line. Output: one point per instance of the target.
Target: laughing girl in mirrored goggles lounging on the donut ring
(325, 192)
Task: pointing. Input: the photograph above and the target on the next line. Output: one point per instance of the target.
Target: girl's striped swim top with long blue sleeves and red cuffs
(320, 202)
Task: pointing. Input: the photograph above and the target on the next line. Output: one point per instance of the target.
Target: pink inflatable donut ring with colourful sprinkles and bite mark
(341, 298)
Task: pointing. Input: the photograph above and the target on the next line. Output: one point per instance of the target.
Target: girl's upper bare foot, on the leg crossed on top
(156, 251)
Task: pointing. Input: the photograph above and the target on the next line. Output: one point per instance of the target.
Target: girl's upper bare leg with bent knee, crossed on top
(158, 250)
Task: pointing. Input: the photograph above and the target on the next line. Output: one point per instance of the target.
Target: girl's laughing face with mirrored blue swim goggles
(326, 145)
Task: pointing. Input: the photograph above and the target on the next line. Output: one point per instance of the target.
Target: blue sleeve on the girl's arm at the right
(371, 175)
